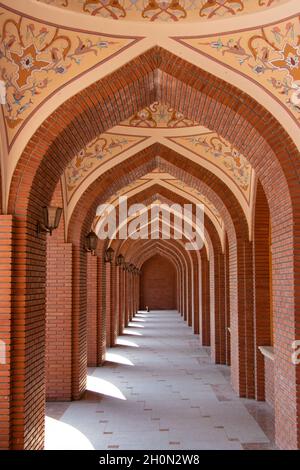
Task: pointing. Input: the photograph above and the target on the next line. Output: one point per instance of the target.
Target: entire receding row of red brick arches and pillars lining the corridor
(238, 293)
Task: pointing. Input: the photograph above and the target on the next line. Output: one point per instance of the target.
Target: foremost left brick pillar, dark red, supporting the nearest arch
(28, 336)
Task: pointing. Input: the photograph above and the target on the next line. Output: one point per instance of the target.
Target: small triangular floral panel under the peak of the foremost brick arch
(159, 115)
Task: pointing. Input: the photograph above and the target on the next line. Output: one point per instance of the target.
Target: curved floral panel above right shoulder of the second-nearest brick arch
(222, 154)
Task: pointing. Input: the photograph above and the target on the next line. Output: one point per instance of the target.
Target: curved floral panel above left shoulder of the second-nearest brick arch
(98, 151)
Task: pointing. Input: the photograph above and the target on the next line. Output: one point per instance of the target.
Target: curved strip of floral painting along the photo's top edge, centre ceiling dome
(164, 10)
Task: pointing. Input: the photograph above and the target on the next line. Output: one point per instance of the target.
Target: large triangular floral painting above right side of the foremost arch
(269, 55)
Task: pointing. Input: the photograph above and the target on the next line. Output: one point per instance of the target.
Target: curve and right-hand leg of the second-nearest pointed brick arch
(241, 289)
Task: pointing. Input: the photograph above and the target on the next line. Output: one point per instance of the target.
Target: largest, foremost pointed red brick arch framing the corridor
(156, 75)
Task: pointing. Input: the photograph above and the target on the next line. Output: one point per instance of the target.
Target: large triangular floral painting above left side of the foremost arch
(36, 59)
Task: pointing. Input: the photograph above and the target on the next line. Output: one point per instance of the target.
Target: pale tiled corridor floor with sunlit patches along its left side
(159, 390)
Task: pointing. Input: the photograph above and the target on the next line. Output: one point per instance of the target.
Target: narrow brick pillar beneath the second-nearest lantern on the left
(92, 310)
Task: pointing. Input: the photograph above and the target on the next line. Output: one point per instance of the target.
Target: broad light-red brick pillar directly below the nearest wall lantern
(59, 318)
